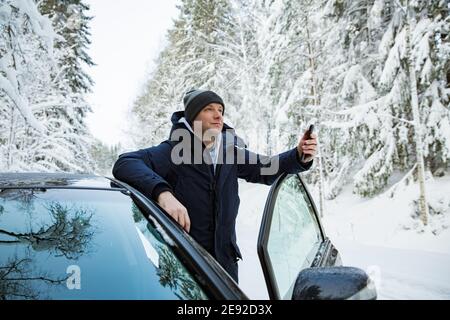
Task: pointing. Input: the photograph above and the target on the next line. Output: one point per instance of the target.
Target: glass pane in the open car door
(294, 234)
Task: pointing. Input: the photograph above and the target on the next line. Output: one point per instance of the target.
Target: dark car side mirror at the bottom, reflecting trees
(334, 283)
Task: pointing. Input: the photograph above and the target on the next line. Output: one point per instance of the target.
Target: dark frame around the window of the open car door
(326, 255)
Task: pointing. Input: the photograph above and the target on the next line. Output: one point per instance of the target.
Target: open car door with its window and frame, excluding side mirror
(291, 237)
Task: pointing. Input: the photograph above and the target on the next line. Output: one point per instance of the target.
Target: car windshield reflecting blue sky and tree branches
(85, 244)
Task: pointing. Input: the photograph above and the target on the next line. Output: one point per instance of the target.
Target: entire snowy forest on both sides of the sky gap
(372, 75)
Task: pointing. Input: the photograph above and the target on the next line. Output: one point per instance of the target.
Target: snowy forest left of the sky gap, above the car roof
(44, 79)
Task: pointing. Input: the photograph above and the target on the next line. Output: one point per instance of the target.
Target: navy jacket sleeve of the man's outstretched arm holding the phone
(263, 169)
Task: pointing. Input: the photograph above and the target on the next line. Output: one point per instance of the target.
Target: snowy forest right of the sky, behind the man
(372, 75)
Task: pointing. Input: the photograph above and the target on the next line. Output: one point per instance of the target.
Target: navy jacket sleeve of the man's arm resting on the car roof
(145, 169)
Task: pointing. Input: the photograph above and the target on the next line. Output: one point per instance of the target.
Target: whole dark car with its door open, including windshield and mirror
(74, 236)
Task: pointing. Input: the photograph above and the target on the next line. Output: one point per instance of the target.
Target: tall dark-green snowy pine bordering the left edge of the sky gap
(70, 21)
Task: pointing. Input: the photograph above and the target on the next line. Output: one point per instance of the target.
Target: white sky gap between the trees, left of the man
(127, 36)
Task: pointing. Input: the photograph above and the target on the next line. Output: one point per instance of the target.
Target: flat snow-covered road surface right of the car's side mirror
(400, 273)
